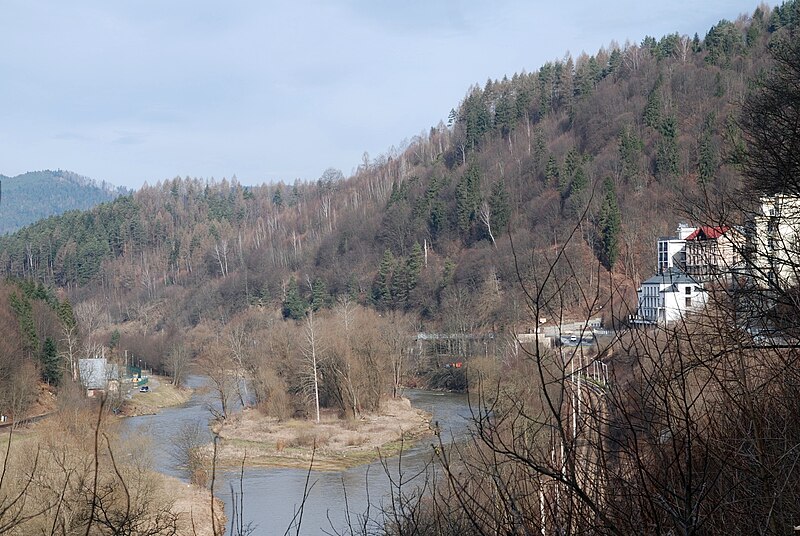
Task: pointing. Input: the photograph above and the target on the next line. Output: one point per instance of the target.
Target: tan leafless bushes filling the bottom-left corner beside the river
(80, 479)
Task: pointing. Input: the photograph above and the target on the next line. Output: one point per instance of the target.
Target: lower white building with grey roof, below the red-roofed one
(667, 297)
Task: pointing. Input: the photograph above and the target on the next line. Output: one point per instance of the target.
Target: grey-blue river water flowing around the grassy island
(272, 497)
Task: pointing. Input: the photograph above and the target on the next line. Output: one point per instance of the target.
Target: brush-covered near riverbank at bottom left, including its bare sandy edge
(59, 452)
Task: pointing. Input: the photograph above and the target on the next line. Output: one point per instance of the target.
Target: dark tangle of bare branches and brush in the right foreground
(695, 428)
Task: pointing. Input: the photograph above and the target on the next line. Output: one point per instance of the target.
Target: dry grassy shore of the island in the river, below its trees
(335, 444)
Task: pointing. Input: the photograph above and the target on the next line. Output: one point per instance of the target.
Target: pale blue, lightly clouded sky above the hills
(135, 91)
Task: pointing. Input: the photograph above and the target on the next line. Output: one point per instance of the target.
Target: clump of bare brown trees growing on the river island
(347, 359)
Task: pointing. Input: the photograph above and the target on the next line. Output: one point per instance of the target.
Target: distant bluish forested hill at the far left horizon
(32, 196)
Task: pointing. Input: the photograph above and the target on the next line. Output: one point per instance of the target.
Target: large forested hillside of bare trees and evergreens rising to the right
(605, 148)
